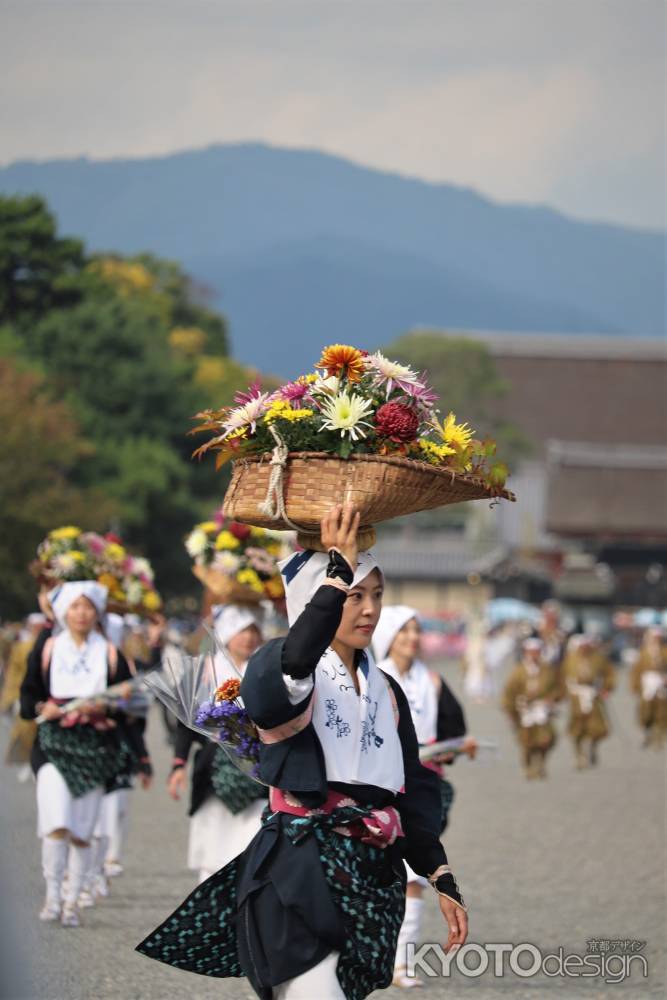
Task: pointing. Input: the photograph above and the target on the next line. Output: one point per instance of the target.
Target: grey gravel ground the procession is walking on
(553, 863)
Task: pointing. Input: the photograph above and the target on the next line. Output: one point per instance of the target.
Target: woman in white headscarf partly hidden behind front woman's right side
(437, 715)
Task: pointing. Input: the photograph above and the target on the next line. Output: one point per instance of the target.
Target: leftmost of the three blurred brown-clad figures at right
(529, 698)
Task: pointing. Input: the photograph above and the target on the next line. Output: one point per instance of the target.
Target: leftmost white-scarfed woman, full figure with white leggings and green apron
(74, 754)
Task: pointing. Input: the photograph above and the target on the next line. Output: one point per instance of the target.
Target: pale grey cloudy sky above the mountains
(553, 101)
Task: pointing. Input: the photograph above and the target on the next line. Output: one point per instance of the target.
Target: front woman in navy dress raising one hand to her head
(314, 905)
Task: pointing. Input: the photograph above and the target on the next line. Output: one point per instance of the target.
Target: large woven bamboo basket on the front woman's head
(313, 482)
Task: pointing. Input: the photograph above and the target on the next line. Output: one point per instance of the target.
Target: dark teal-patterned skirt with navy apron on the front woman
(352, 893)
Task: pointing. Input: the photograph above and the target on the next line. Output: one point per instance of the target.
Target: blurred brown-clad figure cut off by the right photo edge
(648, 680)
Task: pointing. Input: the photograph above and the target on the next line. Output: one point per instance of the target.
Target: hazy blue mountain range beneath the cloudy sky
(300, 248)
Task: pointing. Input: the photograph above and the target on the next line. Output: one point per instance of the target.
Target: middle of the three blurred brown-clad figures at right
(589, 678)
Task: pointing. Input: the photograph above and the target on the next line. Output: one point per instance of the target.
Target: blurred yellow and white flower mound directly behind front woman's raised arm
(235, 561)
